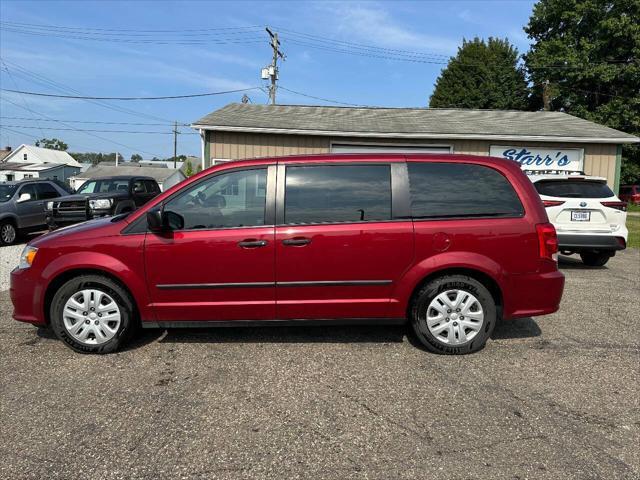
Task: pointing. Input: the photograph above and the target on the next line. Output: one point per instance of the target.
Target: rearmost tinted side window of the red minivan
(447, 190)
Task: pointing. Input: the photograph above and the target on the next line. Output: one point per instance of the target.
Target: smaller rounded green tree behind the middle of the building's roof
(482, 75)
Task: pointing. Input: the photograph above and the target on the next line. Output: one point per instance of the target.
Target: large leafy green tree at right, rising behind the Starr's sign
(589, 53)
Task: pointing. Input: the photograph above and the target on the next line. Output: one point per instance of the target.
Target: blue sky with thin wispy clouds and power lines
(364, 53)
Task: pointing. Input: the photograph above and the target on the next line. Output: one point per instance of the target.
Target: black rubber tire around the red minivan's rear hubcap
(423, 299)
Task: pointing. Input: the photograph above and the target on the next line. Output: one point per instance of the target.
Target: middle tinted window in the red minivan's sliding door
(337, 193)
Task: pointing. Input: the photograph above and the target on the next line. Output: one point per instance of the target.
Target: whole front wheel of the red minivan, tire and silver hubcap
(92, 314)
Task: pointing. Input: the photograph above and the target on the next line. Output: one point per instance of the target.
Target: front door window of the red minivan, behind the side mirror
(223, 201)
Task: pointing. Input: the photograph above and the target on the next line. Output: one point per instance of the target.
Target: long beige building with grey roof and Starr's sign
(537, 140)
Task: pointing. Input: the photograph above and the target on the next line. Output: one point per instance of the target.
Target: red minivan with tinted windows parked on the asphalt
(449, 243)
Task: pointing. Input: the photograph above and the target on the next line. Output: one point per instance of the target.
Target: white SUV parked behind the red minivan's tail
(589, 218)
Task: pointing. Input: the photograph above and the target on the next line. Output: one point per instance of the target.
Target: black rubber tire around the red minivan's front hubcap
(122, 299)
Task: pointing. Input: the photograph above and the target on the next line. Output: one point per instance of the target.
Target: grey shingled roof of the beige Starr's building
(410, 123)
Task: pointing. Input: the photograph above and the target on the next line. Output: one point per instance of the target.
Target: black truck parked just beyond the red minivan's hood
(101, 197)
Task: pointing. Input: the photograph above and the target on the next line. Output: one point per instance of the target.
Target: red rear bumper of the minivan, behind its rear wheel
(531, 295)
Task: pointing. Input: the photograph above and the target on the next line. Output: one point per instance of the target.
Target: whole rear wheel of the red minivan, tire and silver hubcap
(455, 314)
